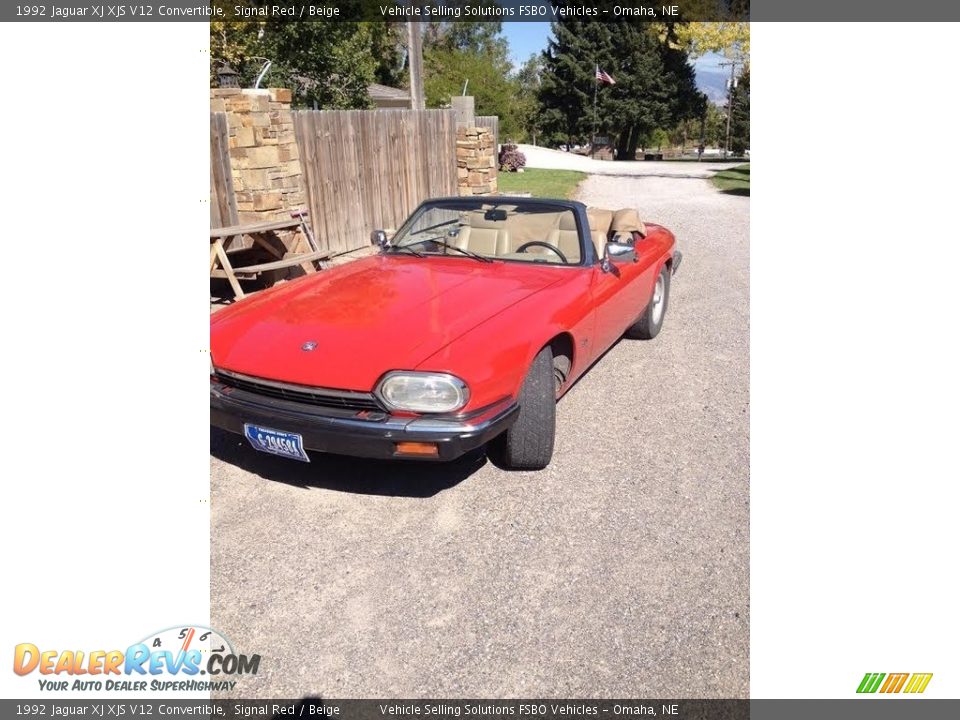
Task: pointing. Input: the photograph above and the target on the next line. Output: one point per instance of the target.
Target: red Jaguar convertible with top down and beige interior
(466, 327)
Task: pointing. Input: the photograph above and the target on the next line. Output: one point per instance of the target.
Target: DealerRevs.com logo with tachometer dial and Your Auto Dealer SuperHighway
(186, 658)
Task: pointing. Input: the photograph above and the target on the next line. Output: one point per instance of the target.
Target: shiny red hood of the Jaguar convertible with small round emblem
(382, 313)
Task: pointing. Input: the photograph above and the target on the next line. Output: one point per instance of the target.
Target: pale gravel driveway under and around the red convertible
(620, 571)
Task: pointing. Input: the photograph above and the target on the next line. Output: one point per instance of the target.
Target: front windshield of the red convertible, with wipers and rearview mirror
(520, 232)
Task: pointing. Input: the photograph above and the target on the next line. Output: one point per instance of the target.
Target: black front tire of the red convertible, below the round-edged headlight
(528, 443)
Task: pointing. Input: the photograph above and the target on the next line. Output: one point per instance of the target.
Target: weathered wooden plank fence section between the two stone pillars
(364, 170)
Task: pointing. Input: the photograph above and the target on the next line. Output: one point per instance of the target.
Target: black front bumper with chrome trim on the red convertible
(343, 432)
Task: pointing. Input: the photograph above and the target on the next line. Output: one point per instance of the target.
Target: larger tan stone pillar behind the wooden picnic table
(264, 156)
